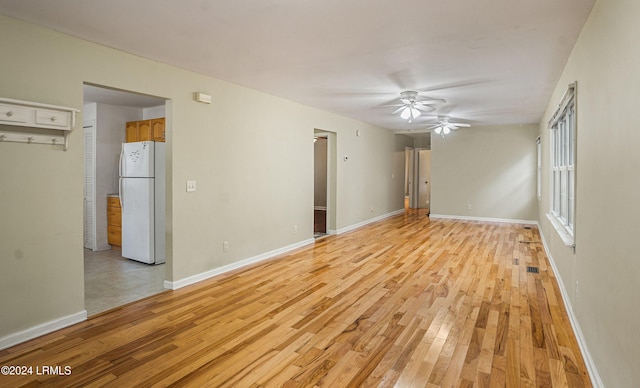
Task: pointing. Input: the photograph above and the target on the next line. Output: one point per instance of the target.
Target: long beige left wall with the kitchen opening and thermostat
(254, 171)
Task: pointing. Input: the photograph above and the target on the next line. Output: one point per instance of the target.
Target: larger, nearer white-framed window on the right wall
(563, 163)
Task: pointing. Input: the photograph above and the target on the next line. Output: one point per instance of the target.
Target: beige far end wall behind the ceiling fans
(491, 168)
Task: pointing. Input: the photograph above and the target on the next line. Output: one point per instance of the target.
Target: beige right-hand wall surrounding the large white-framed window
(602, 278)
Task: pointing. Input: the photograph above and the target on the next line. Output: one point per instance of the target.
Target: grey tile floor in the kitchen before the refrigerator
(111, 280)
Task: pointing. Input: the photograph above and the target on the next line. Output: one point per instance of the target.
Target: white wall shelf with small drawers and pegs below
(27, 114)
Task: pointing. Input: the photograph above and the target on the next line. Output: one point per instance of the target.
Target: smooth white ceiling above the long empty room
(495, 62)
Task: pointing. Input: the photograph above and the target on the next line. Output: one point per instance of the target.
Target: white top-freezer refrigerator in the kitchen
(142, 185)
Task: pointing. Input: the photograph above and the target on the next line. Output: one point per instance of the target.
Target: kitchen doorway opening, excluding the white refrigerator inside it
(111, 280)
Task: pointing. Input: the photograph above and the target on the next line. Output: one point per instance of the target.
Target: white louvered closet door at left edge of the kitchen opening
(89, 185)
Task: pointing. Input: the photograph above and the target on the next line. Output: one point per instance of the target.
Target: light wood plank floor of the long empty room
(403, 302)
